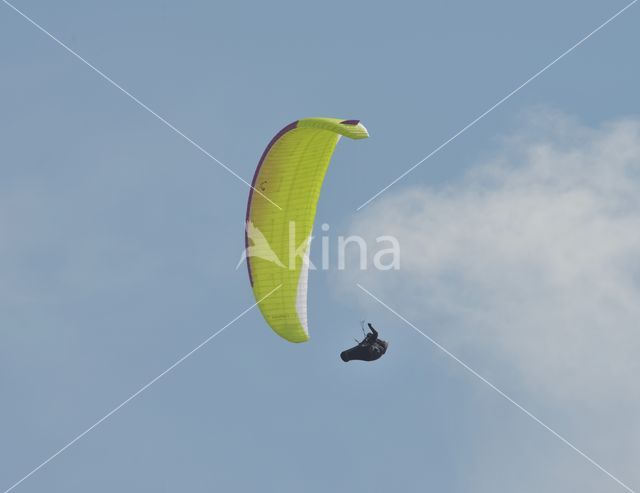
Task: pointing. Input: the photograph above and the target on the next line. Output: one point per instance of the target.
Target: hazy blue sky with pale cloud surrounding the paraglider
(118, 242)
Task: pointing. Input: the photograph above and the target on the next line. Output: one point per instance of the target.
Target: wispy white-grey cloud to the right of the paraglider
(534, 260)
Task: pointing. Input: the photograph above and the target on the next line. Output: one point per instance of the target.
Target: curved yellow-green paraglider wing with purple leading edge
(280, 217)
